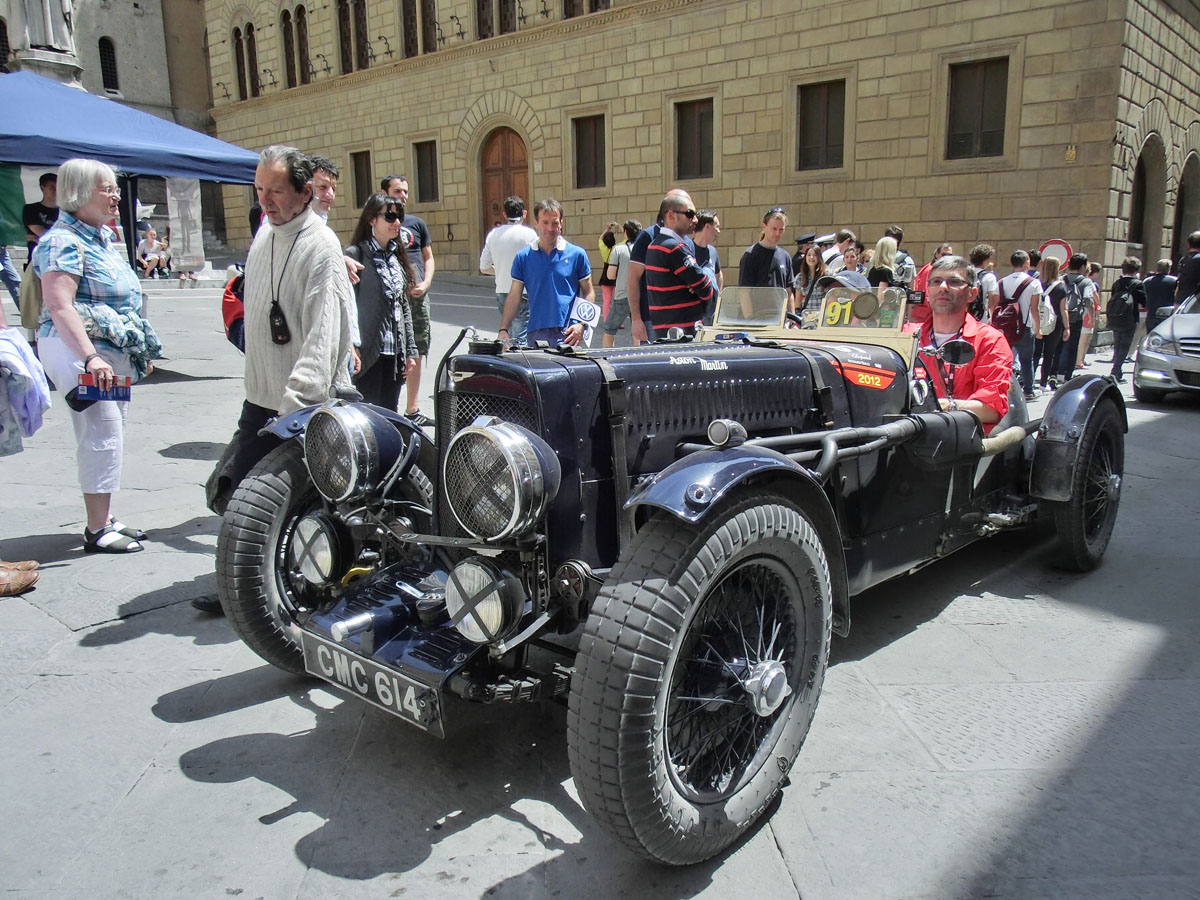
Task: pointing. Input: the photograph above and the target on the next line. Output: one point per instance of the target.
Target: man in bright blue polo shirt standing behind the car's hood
(554, 272)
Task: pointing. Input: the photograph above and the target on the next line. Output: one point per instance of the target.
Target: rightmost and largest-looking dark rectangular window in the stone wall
(975, 123)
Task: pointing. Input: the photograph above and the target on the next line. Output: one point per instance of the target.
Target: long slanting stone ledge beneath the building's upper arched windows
(467, 51)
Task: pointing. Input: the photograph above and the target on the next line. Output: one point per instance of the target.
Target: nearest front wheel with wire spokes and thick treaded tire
(698, 677)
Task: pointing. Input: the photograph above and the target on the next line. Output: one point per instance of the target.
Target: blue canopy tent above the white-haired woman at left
(44, 123)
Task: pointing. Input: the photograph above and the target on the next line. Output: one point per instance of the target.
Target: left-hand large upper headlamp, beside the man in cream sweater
(350, 451)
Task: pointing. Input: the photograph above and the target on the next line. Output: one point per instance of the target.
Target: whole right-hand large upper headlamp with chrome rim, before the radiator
(500, 478)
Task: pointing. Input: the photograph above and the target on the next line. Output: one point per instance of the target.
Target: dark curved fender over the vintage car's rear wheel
(1057, 451)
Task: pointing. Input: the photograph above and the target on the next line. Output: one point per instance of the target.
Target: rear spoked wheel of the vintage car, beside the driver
(1084, 524)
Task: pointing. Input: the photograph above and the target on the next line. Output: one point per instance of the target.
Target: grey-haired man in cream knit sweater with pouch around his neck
(295, 268)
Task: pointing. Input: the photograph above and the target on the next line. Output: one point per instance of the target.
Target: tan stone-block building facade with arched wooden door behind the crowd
(964, 122)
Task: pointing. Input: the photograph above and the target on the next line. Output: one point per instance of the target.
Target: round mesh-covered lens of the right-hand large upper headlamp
(478, 477)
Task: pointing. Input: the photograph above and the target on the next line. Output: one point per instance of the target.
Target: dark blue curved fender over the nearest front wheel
(697, 484)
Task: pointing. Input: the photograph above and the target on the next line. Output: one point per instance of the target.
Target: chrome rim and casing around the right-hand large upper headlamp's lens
(524, 476)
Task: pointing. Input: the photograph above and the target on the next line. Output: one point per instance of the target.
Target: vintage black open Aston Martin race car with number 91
(665, 536)
